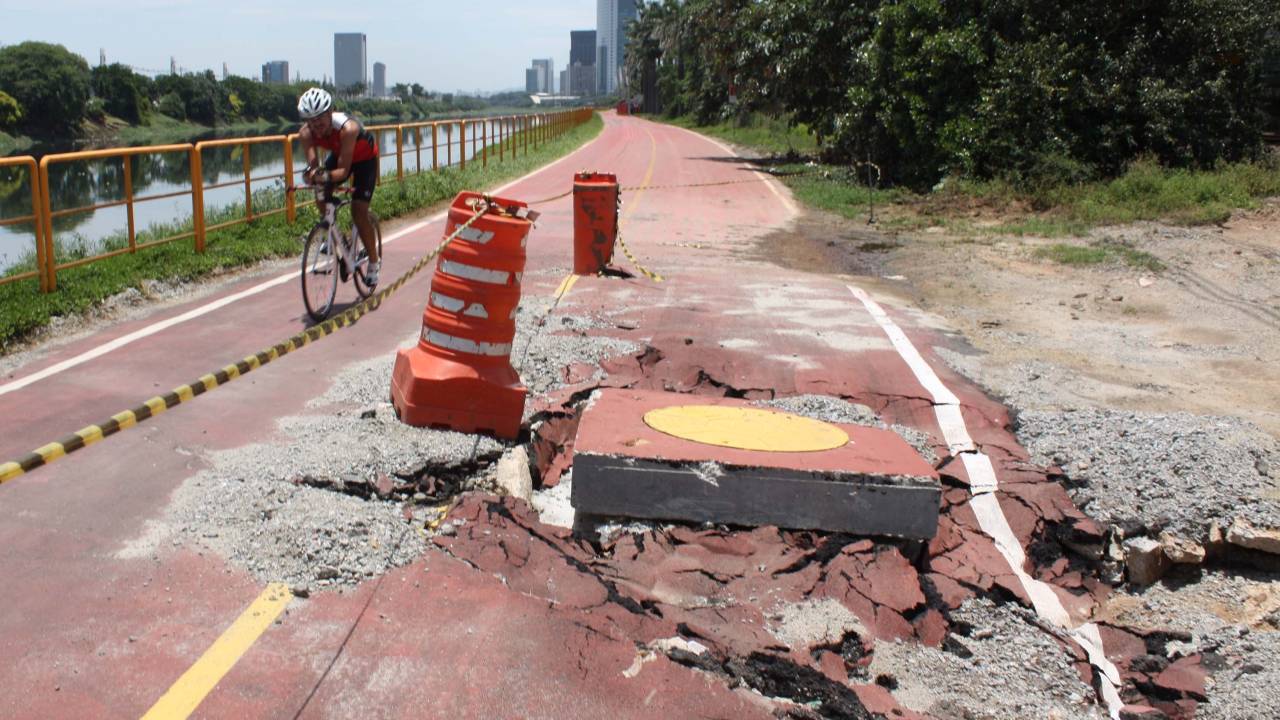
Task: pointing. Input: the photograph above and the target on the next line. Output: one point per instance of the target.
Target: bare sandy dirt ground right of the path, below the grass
(1201, 336)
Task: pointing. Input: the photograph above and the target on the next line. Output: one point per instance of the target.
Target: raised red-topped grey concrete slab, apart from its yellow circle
(875, 485)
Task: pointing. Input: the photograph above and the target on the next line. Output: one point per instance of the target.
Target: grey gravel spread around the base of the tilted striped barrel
(258, 507)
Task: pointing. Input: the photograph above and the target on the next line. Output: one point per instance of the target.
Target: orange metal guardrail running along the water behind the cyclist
(508, 133)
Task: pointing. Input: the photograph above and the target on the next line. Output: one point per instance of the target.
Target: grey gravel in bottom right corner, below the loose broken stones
(1236, 622)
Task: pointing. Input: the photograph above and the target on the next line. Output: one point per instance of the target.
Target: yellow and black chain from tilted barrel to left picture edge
(157, 405)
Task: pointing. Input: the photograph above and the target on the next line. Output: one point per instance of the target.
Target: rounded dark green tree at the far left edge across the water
(49, 83)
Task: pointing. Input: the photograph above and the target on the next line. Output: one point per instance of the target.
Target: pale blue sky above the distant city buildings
(444, 47)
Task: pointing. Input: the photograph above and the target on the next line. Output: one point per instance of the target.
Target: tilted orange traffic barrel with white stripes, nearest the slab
(459, 376)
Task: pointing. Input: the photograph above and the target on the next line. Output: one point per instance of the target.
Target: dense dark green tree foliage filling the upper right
(1043, 92)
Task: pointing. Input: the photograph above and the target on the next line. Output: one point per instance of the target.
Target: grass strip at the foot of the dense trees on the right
(1146, 192)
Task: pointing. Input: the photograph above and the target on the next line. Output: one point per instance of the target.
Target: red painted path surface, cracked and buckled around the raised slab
(536, 623)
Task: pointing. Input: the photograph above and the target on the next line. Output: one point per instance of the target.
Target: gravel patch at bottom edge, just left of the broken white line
(1013, 669)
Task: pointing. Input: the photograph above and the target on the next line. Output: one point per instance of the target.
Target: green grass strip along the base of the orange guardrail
(24, 309)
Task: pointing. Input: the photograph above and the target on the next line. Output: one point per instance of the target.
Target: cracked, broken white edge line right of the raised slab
(986, 508)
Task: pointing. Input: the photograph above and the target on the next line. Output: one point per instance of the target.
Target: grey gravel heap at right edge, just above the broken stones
(1178, 473)
